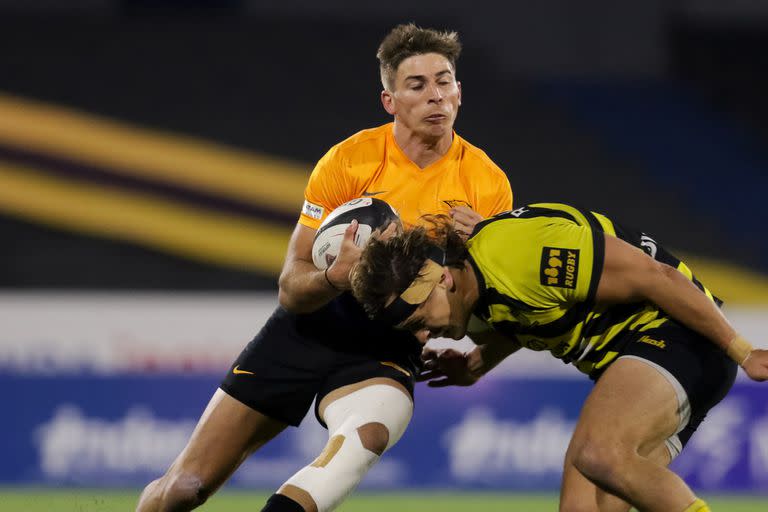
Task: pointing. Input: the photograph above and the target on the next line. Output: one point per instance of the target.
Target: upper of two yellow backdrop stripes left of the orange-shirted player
(150, 154)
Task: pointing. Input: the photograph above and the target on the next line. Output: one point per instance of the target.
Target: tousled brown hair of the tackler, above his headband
(388, 267)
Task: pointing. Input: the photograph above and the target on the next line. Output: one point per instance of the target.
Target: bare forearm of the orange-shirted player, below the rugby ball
(304, 288)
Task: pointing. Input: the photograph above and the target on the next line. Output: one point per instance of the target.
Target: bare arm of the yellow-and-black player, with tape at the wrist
(629, 275)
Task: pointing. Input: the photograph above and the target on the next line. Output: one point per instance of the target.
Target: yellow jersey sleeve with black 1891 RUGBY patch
(543, 263)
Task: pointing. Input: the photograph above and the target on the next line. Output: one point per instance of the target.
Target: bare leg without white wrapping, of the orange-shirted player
(227, 433)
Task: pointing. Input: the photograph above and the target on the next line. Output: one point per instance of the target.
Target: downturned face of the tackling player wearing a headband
(442, 315)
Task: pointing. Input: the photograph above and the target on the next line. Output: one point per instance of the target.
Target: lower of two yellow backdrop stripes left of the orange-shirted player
(193, 233)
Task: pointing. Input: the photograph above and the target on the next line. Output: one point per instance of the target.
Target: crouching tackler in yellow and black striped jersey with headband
(612, 301)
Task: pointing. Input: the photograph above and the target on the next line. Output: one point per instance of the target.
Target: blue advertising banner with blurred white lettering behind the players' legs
(503, 433)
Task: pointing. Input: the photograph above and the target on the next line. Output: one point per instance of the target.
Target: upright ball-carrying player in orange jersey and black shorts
(319, 344)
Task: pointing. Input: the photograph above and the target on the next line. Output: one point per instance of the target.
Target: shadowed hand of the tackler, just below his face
(449, 367)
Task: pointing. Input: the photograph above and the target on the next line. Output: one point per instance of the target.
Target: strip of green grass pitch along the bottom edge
(100, 500)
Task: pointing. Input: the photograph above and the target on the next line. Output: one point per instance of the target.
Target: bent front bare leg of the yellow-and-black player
(631, 406)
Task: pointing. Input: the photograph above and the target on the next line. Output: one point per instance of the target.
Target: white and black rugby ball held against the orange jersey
(370, 213)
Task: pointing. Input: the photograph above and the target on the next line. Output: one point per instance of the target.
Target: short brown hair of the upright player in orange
(407, 40)
